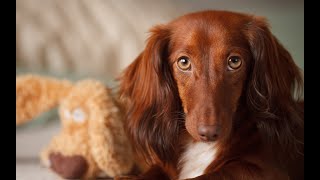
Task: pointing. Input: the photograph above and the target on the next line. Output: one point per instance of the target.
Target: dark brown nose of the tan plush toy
(69, 167)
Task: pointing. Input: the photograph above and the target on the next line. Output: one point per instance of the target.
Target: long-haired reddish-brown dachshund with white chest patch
(214, 96)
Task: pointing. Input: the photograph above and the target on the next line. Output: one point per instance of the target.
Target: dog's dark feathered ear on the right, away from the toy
(274, 81)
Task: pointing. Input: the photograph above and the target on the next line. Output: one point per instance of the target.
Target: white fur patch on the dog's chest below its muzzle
(196, 159)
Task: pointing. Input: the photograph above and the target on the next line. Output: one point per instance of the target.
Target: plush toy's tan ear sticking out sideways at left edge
(37, 94)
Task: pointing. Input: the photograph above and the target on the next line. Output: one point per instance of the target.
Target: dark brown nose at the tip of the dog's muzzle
(208, 133)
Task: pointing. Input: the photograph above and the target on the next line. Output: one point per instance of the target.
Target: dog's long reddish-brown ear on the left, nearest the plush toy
(148, 89)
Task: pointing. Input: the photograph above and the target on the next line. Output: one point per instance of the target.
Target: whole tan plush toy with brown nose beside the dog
(92, 140)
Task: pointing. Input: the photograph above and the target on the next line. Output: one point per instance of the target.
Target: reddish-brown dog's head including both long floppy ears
(200, 72)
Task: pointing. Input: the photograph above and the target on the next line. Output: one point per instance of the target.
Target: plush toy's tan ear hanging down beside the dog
(109, 146)
